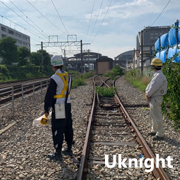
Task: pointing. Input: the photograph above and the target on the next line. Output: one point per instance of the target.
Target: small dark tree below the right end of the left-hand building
(23, 54)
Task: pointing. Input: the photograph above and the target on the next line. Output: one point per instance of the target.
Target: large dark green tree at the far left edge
(8, 50)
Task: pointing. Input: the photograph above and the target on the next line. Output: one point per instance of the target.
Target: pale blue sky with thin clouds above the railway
(108, 26)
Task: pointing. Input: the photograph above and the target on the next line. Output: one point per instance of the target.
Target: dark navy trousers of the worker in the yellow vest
(61, 127)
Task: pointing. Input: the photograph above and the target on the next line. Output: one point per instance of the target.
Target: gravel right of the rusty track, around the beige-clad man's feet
(170, 146)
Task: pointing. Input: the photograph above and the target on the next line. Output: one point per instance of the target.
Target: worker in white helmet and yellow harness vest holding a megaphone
(57, 97)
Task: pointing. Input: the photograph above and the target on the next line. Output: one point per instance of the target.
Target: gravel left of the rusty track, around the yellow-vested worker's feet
(23, 148)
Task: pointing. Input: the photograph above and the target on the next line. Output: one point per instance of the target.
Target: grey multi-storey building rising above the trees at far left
(21, 39)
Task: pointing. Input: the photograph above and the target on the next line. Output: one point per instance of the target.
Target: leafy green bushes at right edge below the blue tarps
(171, 101)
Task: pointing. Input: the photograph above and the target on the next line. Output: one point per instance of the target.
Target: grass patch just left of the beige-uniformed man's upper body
(140, 82)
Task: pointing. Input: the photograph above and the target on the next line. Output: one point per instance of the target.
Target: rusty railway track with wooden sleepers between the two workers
(110, 132)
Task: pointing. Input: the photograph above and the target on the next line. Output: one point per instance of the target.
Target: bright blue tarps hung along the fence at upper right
(168, 44)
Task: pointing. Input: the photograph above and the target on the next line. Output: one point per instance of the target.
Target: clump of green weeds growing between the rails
(107, 92)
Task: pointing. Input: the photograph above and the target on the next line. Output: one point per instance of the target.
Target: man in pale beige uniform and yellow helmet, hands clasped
(154, 94)
